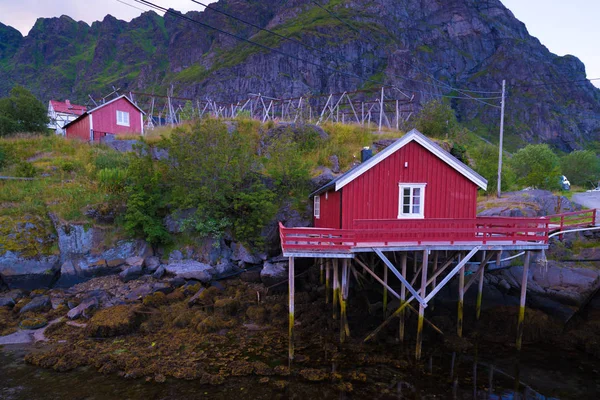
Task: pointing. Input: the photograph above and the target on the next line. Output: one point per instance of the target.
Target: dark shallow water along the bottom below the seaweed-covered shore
(541, 373)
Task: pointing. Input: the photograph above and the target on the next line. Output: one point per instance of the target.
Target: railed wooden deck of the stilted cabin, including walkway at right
(489, 233)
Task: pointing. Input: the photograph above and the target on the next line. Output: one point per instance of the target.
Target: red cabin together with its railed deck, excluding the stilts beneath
(413, 193)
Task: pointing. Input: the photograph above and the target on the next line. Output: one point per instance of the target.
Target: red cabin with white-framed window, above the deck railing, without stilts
(414, 178)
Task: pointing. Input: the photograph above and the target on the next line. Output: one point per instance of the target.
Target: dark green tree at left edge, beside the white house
(22, 112)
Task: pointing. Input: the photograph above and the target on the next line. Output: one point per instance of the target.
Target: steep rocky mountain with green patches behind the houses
(423, 47)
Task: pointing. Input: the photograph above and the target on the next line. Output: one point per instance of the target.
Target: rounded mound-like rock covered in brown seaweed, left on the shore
(114, 321)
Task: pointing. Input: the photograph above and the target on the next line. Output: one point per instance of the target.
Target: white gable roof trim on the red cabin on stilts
(423, 141)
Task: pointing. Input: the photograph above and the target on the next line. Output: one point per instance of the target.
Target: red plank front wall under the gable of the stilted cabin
(375, 194)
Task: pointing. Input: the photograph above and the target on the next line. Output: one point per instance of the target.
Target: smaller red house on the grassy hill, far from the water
(117, 117)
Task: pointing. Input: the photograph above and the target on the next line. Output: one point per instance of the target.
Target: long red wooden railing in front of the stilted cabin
(367, 233)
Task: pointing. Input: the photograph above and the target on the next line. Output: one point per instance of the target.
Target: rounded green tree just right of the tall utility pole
(536, 165)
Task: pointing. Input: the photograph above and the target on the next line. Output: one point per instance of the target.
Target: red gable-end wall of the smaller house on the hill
(105, 118)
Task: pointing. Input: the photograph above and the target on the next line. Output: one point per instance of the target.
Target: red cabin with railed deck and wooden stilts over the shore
(412, 197)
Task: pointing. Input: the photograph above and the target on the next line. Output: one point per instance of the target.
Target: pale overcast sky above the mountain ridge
(565, 27)
